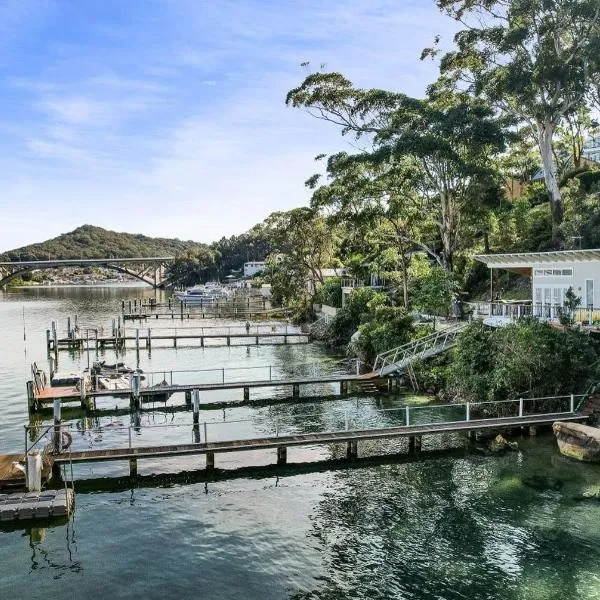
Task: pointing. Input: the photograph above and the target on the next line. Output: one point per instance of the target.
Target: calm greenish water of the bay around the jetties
(448, 527)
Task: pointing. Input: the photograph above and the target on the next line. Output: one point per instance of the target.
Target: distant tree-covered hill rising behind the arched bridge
(94, 242)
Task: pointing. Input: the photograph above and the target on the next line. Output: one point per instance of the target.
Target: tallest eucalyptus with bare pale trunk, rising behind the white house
(535, 60)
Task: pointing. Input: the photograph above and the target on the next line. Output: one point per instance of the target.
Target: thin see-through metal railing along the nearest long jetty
(339, 421)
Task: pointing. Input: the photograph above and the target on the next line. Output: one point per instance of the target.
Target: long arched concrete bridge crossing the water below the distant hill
(150, 270)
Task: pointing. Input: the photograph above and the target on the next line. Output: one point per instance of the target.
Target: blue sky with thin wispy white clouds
(168, 117)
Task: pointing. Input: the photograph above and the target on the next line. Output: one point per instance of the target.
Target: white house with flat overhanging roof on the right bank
(552, 274)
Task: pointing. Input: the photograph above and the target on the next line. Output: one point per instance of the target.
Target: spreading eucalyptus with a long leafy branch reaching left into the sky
(447, 137)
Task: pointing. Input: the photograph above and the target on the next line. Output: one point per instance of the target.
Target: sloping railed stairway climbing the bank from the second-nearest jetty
(399, 359)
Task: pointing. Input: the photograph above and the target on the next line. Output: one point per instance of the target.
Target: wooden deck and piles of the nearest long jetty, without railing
(281, 443)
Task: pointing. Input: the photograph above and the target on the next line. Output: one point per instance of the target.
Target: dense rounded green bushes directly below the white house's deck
(529, 358)
